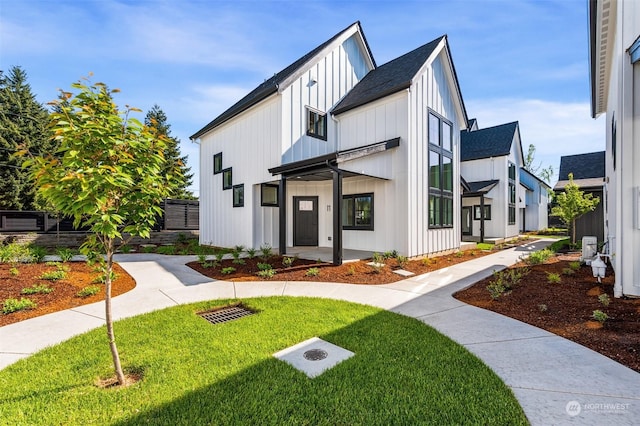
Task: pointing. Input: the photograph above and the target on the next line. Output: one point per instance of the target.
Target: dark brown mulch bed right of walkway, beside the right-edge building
(566, 309)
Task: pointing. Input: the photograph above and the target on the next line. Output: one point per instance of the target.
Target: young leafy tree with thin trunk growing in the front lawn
(107, 174)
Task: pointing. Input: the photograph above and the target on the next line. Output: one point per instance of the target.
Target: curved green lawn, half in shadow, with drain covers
(403, 372)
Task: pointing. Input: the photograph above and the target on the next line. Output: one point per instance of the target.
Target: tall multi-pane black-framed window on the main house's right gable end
(440, 165)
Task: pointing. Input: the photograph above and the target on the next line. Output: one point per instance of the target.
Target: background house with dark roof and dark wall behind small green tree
(588, 174)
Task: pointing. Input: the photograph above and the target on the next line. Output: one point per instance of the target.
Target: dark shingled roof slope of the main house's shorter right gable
(387, 79)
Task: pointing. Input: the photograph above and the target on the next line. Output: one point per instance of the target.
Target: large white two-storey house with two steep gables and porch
(334, 151)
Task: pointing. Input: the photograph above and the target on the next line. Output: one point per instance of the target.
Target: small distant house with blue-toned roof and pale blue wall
(536, 211)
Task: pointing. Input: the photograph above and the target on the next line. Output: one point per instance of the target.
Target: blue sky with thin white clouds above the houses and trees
(515, 60)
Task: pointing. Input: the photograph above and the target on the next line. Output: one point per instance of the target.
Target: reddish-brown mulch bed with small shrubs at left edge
(64, 294)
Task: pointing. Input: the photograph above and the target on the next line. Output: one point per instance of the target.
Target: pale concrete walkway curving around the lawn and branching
(556, 381)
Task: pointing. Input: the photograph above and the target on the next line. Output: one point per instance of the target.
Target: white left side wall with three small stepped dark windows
(249, 145)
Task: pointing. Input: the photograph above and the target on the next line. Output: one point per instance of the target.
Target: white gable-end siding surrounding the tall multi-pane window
(432, 89)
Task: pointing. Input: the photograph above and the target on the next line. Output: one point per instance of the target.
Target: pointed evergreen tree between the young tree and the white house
(175, 165)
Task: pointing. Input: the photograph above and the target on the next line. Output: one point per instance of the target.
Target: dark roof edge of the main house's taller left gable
(270, 86)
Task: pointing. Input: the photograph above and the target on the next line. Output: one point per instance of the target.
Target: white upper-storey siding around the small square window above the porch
(320, 87)
